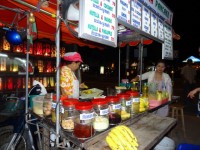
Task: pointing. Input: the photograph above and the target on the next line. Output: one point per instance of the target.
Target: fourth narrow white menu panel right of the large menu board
(154, 25)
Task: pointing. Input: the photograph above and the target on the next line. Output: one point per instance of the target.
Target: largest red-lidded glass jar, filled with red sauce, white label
(83, 127)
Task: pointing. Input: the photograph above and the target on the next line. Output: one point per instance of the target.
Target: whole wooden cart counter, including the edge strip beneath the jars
(147, 127)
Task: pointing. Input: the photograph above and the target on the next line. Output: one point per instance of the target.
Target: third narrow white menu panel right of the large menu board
(145, 19)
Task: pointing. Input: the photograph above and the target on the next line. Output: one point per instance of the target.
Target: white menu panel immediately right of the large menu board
(123, 10)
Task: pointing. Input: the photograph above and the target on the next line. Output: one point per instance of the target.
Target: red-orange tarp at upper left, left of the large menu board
(46, 24)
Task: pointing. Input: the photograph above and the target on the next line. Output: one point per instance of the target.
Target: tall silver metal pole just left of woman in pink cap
(57, 71)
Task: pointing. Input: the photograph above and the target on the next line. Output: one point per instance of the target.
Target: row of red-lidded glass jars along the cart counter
(86, 118)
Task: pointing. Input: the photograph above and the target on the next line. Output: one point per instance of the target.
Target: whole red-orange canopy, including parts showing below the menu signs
(14, 10)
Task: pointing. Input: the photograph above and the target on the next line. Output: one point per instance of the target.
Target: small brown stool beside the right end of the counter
(176, 108)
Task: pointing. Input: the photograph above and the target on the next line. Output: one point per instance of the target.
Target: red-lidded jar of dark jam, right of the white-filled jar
(114, 110)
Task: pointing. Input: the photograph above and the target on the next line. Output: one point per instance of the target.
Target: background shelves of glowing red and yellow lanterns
(39, 52)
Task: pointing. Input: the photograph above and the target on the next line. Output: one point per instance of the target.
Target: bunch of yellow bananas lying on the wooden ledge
(121, 138)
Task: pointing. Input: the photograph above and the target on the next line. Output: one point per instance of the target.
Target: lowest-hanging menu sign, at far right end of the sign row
(167, 49)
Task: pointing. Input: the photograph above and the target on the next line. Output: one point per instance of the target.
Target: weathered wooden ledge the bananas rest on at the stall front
(149, 130)
